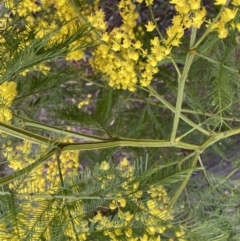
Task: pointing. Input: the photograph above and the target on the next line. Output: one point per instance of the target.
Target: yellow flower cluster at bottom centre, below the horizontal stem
(148, 213)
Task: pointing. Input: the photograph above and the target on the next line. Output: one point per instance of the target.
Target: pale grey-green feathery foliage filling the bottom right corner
(206, 210)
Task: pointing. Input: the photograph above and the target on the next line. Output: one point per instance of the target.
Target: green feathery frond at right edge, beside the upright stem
(213, 88)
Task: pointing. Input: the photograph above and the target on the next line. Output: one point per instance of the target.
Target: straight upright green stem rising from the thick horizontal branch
(188, 62)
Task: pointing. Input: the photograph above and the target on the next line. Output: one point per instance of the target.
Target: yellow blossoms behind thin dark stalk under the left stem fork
(46, 176)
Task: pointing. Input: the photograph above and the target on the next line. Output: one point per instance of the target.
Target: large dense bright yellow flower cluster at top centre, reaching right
(121, 58)
